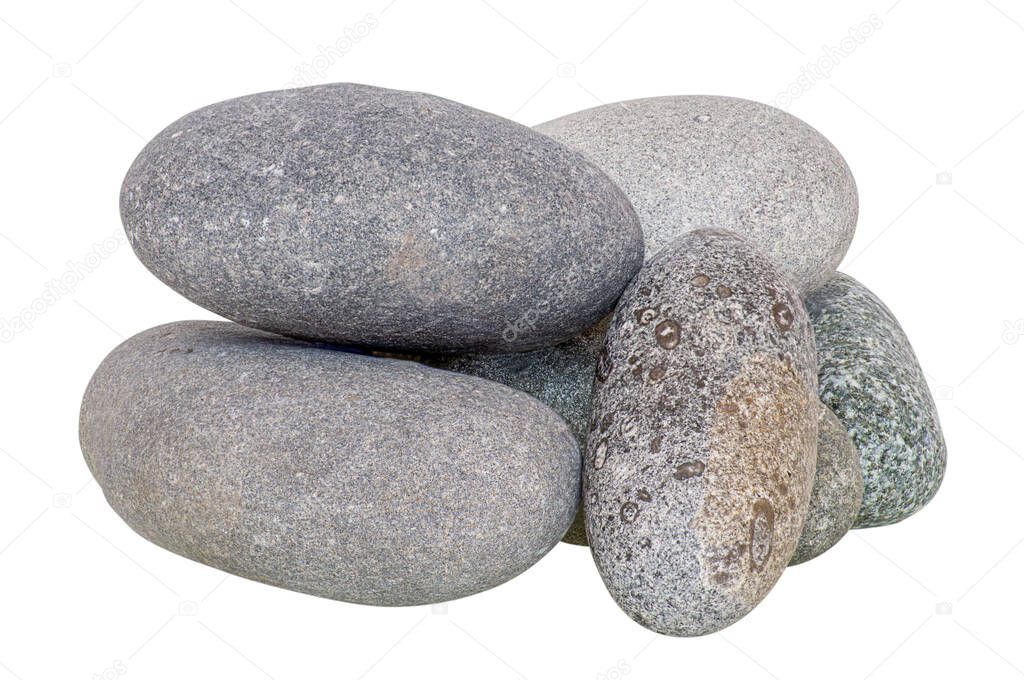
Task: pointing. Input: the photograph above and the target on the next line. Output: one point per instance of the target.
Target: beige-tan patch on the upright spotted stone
(758, 479)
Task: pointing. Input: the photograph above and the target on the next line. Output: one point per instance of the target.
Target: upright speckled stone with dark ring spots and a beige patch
(704, 431)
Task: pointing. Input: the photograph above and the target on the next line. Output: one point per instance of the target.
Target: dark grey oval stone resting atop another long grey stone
(374, 218)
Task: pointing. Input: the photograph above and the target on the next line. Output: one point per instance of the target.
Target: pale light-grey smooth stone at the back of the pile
(711, 162)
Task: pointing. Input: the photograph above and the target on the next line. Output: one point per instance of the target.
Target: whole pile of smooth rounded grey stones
(456, 342)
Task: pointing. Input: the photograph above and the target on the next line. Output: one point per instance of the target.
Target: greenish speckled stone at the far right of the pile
(870, 377)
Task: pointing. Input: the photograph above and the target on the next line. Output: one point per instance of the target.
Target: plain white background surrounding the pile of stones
(935, 90)
